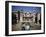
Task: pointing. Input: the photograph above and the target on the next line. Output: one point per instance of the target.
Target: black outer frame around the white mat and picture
(7, 17)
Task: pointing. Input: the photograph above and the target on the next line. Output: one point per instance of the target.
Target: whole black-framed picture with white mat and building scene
(24, 18)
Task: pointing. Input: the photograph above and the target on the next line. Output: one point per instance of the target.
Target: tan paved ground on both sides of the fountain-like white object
(34, 26)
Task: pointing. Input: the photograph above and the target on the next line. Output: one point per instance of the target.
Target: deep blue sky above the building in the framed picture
(27, 8)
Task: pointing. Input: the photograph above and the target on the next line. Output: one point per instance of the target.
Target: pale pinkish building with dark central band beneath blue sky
(28, 17)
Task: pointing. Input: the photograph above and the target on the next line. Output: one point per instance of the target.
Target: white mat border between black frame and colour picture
(23, 32)
